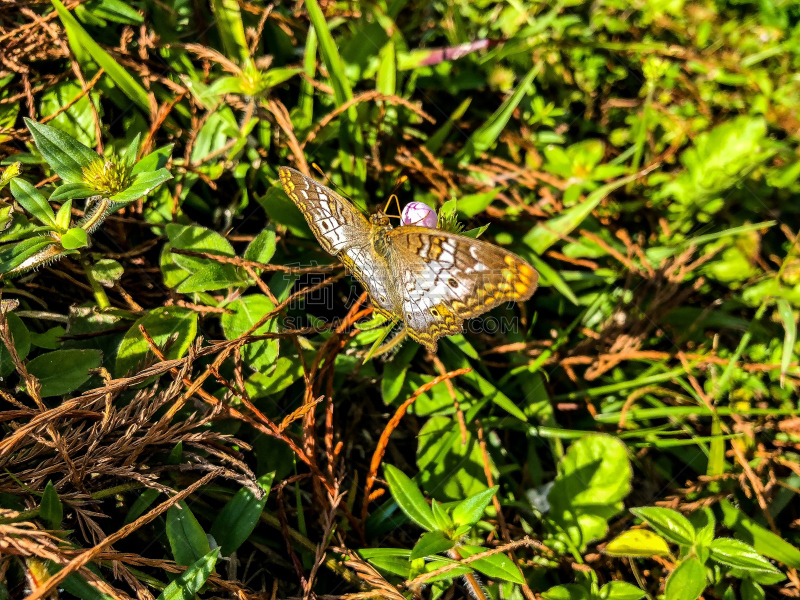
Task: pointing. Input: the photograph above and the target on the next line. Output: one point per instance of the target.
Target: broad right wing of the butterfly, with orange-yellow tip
(444, 278)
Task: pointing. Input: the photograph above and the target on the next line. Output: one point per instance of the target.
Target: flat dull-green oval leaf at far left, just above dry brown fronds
(62, 371)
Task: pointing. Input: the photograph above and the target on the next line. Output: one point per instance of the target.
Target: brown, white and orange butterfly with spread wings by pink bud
(430, 279)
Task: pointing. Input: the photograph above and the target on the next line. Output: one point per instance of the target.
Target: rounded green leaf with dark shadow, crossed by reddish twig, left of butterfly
(161, 324)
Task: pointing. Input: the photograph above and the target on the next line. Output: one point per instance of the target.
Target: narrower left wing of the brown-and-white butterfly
(342, 230)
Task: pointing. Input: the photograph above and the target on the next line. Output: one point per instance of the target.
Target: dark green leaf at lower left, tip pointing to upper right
(239, 517)
